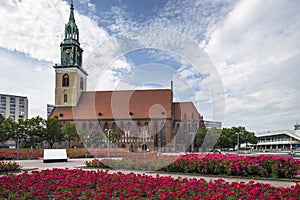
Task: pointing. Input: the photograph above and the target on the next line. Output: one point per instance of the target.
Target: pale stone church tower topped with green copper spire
(70, 77)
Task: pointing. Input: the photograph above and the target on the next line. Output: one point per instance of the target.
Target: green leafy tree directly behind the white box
(53, 132)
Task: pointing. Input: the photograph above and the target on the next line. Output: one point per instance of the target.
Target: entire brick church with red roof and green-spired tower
(135, 119)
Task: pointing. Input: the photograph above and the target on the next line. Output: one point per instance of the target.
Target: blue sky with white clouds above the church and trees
(238, 60)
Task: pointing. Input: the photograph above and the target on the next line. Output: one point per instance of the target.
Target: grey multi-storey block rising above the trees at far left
(15, 107)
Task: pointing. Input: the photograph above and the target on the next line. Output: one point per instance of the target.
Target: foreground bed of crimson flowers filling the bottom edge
(81, 184)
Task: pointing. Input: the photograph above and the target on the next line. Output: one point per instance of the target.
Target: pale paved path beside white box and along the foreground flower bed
(75, 163)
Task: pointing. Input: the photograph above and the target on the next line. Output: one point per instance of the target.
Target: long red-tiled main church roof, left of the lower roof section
(126, 104)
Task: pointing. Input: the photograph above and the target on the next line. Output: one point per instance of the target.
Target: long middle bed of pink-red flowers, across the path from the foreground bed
(212, 164)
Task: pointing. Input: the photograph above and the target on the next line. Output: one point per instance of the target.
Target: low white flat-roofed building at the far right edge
(283, 139)
